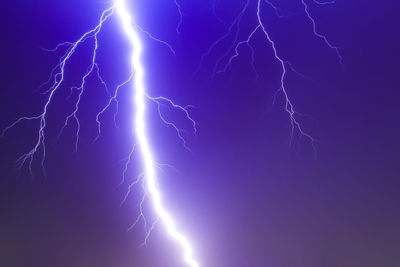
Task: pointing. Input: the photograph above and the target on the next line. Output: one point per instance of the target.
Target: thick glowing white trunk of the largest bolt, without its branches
(140, 130)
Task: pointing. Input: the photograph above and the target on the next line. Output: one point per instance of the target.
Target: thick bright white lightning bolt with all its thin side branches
(148, 178)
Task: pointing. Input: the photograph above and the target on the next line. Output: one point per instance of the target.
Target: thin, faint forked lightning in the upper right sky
(232, 53)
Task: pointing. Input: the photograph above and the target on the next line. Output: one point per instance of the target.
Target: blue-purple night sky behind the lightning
(247, 195)
